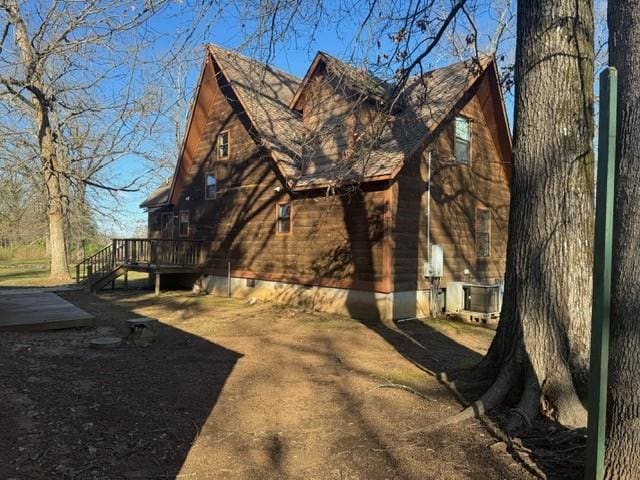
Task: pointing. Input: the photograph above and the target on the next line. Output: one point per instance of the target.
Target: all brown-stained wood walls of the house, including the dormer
(363, 238)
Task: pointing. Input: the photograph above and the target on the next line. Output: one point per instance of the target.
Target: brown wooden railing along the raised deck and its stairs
(141, 251)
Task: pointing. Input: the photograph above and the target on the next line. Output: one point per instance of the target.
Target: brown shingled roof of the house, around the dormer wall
(269, 96)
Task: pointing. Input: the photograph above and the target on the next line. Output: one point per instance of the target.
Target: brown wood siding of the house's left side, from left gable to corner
(336, 240)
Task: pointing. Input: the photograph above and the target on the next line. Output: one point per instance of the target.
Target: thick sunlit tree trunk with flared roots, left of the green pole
(542, 342)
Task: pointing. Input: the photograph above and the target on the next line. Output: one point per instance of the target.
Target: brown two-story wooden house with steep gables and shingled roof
(340, 191)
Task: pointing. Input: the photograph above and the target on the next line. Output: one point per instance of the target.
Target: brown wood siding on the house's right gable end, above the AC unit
(456, 191)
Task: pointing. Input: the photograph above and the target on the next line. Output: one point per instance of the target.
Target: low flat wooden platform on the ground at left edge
(34, 311)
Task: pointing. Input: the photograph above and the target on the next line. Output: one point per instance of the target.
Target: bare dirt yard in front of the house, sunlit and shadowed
(236, 391)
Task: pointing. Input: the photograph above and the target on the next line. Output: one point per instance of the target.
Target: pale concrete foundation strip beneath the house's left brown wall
(355, 303)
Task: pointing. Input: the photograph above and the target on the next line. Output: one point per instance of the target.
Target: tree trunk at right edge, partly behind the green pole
(623, 434)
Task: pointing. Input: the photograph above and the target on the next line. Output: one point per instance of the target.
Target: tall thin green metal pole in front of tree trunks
(594, 467)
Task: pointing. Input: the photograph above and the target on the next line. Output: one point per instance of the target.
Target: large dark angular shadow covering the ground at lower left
(130, 412)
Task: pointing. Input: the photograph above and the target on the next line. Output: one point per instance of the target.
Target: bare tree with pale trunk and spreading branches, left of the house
(75, 94)
